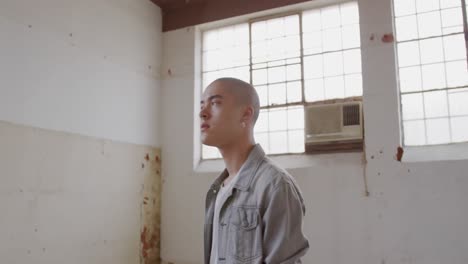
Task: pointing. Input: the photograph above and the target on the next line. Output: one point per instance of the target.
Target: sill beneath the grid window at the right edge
(447, 152)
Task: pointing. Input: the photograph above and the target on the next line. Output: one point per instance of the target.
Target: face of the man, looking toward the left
(220, 116)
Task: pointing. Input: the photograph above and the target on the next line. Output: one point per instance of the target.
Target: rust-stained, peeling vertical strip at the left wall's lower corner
(150, 239)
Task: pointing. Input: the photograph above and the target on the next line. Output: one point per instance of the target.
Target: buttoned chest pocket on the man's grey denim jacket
(245, 238)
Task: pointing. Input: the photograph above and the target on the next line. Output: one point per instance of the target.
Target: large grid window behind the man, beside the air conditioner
(290, 60)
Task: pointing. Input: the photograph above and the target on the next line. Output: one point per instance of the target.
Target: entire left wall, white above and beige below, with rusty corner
(79, 141)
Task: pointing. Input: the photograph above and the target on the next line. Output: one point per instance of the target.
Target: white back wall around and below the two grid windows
(414, 213)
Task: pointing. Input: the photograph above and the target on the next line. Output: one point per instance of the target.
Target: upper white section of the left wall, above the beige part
(88, 67)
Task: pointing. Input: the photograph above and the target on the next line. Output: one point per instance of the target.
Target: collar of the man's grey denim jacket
(247, 171)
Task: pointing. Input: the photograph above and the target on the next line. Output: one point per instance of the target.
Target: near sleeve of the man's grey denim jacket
(283, 239)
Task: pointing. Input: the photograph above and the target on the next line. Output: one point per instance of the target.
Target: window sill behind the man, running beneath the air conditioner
(291, 161)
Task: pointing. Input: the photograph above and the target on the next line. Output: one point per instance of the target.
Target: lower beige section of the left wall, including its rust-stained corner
(66, 198)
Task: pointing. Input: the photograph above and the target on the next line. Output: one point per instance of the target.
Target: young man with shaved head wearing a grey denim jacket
(254, 209)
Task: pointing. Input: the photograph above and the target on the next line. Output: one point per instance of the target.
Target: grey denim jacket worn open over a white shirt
(261, 219)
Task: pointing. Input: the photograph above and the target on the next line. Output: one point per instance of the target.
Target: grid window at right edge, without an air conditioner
(433, 78)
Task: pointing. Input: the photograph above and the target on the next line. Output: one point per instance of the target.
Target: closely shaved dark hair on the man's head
(243, 92)
